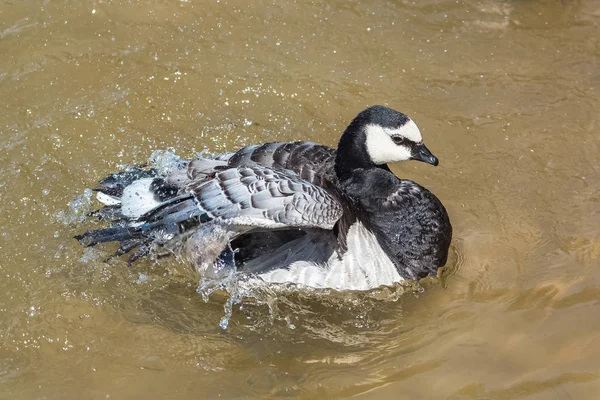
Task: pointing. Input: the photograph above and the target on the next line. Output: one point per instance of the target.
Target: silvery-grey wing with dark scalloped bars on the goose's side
(262, 197)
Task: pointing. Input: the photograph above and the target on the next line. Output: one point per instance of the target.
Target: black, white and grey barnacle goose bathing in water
(288, 212)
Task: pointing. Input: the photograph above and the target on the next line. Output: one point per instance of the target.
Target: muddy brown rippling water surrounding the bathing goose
(506, 95)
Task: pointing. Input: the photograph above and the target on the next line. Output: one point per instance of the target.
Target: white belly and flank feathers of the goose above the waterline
(364, 266)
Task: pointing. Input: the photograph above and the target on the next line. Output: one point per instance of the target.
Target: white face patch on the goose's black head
(381, 147)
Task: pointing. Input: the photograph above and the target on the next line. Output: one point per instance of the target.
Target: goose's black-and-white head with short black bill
(380, 135)
